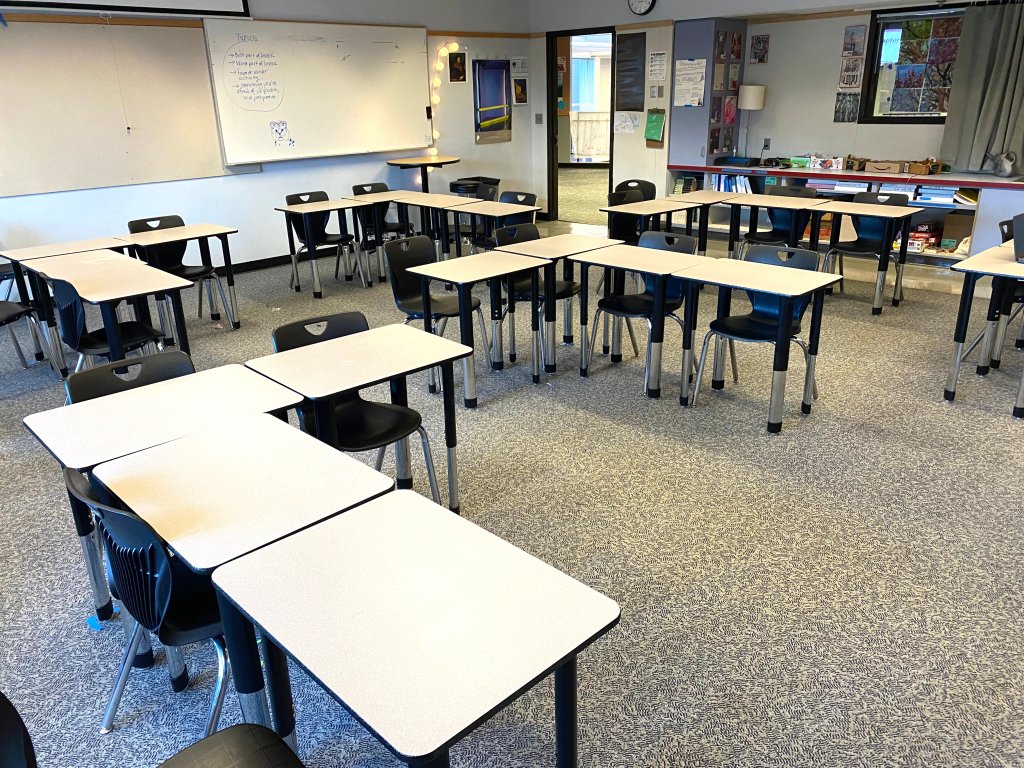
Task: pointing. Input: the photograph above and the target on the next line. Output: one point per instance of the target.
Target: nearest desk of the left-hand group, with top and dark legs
(105, 278)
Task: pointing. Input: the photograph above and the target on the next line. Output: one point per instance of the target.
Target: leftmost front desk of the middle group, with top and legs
(488, 267)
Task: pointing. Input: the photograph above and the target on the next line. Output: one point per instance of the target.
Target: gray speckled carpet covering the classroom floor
(848, 593)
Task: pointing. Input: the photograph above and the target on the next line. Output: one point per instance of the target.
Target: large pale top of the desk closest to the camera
(420, 622)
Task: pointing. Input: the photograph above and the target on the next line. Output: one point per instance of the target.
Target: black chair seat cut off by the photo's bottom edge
(241, 746)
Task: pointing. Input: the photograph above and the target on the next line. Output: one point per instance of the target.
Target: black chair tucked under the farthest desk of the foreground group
(360, 425)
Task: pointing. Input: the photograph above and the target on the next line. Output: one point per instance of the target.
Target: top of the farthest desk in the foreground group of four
(362, 360)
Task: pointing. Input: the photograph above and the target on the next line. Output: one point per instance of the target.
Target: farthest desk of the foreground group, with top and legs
(321, 371)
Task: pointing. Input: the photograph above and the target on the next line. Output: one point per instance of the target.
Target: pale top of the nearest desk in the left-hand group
(106, 276)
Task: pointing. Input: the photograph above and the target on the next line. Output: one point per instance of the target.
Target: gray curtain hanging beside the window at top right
(987, 100)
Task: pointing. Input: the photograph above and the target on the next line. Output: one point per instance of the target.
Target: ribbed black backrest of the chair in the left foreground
(137, 558)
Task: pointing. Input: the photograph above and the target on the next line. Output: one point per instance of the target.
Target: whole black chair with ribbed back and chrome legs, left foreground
(157, 590)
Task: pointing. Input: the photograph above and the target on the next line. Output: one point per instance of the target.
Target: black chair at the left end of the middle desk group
(408, 288)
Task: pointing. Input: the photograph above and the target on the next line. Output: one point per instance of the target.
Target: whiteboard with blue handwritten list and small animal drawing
(287, 91)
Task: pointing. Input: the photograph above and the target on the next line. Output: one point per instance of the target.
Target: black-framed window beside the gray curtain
(910, 66)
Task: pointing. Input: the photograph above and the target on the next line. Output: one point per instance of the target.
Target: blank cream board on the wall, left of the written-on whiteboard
(71, 92)
